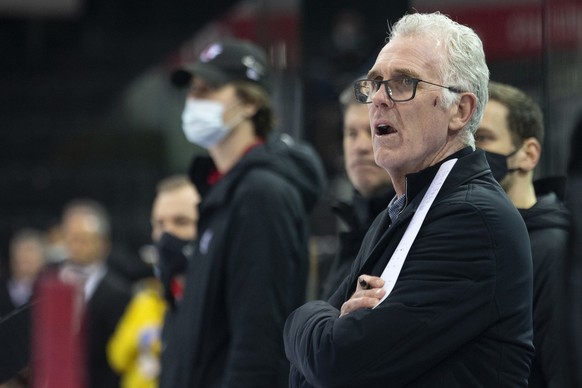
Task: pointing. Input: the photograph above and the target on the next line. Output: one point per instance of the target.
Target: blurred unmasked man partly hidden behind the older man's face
(372, 188)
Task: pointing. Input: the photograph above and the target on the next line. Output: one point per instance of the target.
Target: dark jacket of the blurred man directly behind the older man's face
(357, 217)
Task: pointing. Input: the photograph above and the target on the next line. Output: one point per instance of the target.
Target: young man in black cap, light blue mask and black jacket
(249, 268)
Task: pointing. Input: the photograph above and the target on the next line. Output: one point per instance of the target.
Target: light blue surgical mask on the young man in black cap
(203, 124)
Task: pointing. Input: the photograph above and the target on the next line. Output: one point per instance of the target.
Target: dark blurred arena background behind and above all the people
(67, 83)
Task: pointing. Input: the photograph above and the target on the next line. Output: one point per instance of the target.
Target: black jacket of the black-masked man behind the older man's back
(548, 224)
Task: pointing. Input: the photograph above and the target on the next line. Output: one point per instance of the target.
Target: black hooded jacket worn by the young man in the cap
(248, 271)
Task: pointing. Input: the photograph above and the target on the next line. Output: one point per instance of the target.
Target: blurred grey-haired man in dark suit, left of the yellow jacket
(86, 231)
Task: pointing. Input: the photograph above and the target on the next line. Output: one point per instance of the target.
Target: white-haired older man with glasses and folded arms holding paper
(440, 294)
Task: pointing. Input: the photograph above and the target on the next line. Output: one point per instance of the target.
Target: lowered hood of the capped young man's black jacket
(295, 161)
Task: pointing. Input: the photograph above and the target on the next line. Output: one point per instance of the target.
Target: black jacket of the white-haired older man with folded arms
(460, 312)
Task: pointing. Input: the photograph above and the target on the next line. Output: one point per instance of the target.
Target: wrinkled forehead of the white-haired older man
(417, 56)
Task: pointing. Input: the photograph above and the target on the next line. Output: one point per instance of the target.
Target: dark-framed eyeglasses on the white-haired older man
(397, 89)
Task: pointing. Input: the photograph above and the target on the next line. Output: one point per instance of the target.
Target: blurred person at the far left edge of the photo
(27, 256)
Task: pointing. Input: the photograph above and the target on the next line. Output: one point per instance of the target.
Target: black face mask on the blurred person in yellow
(174, 254)
